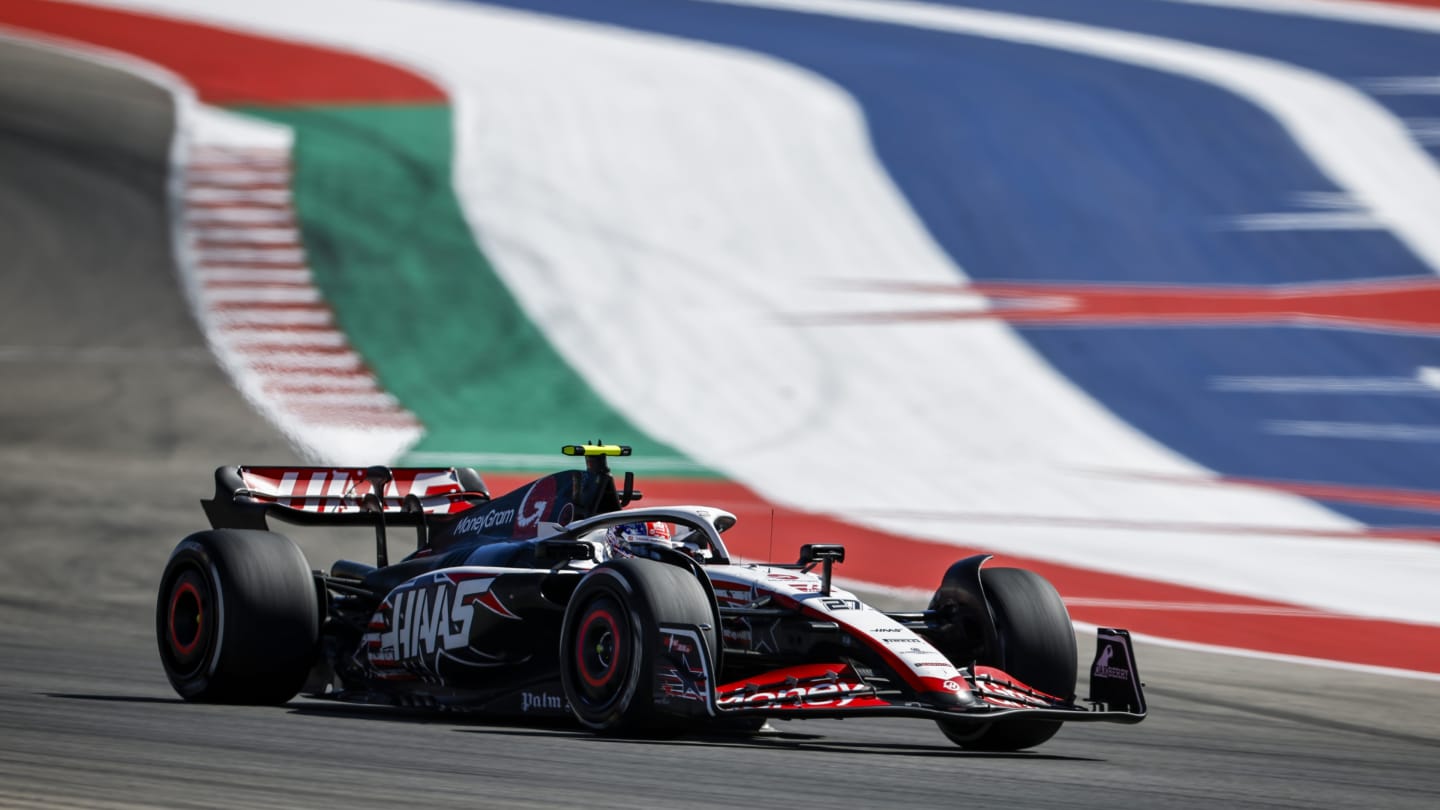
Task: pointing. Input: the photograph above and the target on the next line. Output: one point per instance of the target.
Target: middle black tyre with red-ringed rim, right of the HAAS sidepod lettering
(611, 636)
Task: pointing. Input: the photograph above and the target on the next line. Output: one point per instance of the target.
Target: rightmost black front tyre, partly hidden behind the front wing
(1038, 645)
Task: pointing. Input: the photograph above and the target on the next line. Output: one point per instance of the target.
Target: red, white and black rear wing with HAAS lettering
(341, 497)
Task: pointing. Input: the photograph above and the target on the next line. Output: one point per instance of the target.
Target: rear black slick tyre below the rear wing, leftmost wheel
(238, 618)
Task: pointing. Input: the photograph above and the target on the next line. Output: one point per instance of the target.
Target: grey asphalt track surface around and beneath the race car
(113, 414)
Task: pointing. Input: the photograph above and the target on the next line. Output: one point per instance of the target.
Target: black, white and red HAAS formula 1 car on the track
(525, 606)
